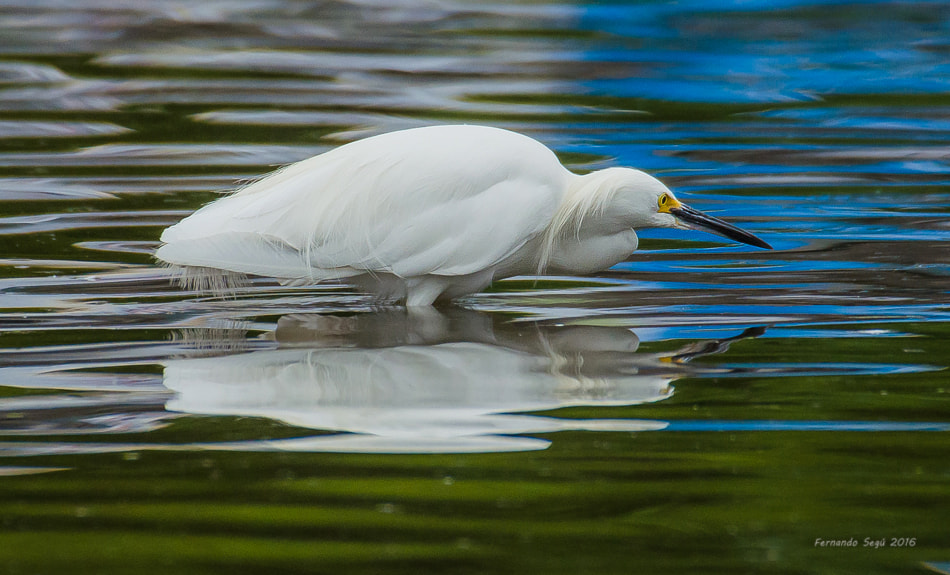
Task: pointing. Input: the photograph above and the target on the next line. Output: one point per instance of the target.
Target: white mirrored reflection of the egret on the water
(428, 381)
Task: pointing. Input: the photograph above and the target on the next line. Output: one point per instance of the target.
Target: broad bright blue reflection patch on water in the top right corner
(775, 53)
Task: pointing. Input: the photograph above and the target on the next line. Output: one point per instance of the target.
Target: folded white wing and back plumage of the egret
(449, 201)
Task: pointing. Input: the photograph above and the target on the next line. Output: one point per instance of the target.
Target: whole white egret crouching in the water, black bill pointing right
(425, 214)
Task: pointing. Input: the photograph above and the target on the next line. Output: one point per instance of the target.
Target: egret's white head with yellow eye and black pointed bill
(637, 200)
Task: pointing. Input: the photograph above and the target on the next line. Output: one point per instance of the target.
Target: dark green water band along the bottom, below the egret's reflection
(654, 502)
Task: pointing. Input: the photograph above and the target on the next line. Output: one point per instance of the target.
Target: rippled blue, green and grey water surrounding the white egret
(702, 406)
